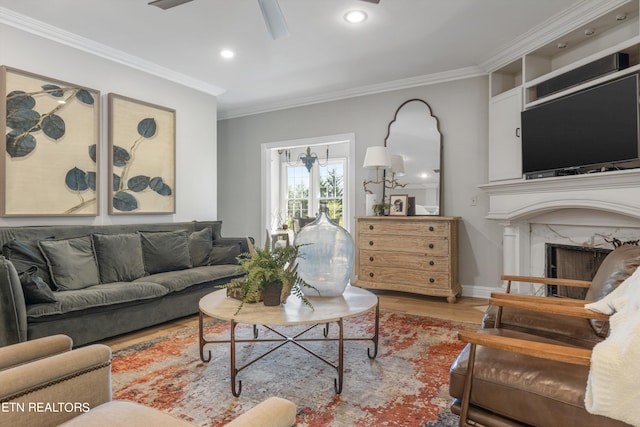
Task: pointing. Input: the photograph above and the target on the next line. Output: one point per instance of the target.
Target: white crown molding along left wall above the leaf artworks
(50, 32)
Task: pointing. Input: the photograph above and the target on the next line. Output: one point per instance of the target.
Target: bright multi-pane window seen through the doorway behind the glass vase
(305, 190)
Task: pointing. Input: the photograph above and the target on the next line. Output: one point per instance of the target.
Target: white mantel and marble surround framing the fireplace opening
(579, 210)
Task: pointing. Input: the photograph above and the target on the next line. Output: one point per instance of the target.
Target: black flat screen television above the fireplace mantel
(596, 126)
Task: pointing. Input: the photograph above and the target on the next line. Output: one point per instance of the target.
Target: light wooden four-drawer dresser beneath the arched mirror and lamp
(417, 254)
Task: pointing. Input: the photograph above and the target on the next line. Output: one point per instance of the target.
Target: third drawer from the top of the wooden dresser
(418, 261)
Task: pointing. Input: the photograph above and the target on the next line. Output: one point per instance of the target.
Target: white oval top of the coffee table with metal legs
(353, 302)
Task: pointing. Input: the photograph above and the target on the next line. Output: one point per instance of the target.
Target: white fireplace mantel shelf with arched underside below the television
(615, 192)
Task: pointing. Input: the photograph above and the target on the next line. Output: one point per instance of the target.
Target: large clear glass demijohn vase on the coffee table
(326, 255)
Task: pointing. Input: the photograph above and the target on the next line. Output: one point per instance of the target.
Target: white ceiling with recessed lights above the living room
(403, 42)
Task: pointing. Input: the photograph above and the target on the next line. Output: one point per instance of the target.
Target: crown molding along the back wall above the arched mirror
(446, 76)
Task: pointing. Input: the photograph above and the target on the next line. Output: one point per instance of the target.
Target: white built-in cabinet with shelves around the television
(513, 86)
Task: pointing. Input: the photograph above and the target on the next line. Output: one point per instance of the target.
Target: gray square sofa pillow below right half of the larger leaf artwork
(71, 262)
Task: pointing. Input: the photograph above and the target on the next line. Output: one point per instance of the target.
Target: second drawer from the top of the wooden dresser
(424, 245)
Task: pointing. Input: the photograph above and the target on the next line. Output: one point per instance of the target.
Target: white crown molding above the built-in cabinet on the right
(575, 16)
